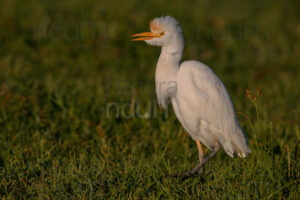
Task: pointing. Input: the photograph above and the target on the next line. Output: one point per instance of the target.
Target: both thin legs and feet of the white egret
(202, 159)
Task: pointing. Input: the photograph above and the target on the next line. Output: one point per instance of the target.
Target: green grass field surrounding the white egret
(78, 112)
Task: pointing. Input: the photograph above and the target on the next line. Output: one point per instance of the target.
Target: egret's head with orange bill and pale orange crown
(165, 31)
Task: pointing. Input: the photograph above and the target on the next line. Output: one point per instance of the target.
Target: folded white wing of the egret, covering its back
(207, 100)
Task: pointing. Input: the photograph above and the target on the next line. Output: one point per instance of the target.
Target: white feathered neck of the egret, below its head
(166, 73)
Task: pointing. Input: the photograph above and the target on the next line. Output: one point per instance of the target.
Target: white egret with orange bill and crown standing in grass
(199, 98)
